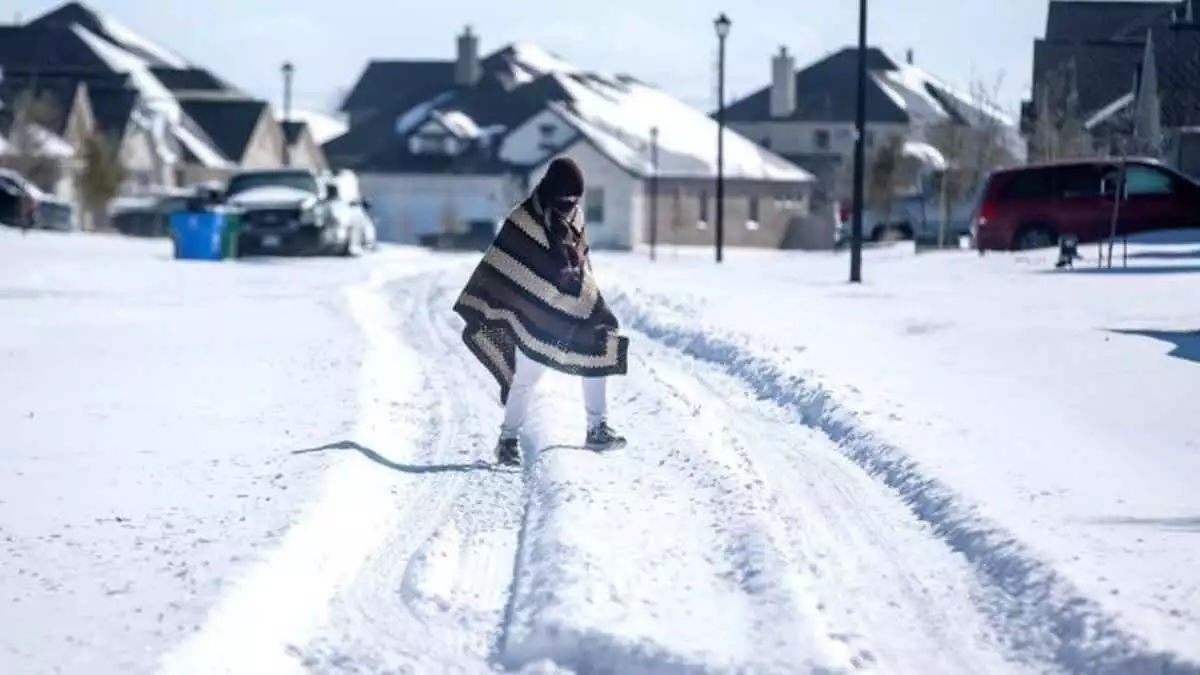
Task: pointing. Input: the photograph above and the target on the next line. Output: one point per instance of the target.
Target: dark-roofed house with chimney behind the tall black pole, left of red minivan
(808, 116)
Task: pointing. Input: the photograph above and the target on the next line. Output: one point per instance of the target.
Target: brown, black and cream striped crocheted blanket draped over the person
(517, 300)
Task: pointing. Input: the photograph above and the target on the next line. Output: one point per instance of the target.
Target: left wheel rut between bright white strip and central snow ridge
(433, 599)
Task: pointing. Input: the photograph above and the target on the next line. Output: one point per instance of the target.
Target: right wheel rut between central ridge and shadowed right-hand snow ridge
(889, 588)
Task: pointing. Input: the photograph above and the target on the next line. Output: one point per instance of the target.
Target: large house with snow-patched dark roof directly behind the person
(447, 147)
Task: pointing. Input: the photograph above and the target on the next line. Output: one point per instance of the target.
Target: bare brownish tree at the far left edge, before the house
(29, 140)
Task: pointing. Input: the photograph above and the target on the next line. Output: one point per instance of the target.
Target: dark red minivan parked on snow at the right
(1033, 206)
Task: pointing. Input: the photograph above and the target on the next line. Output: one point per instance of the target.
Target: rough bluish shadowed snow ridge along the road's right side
(1043, 614)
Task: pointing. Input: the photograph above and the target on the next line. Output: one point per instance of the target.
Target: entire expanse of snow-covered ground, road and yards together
(962, 467)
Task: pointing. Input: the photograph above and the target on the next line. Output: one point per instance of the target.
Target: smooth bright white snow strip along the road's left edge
(265, 618)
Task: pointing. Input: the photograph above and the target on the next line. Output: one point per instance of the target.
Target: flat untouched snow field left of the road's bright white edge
(149, 410)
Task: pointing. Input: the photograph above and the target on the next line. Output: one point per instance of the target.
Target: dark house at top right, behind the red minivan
(1121, 77)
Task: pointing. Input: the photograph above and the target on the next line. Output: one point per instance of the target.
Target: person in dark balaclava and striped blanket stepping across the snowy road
(533, 304)
